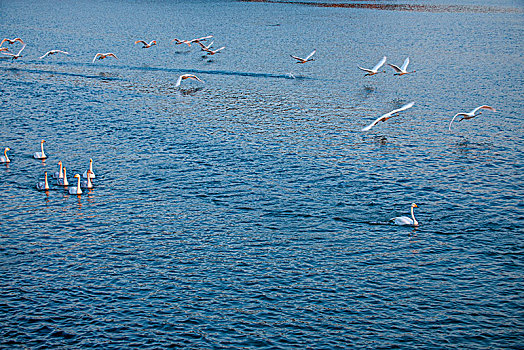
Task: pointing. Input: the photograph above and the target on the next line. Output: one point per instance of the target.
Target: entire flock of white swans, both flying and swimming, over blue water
(89, 174)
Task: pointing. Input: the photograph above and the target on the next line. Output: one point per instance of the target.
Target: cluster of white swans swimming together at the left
(61, 175)
